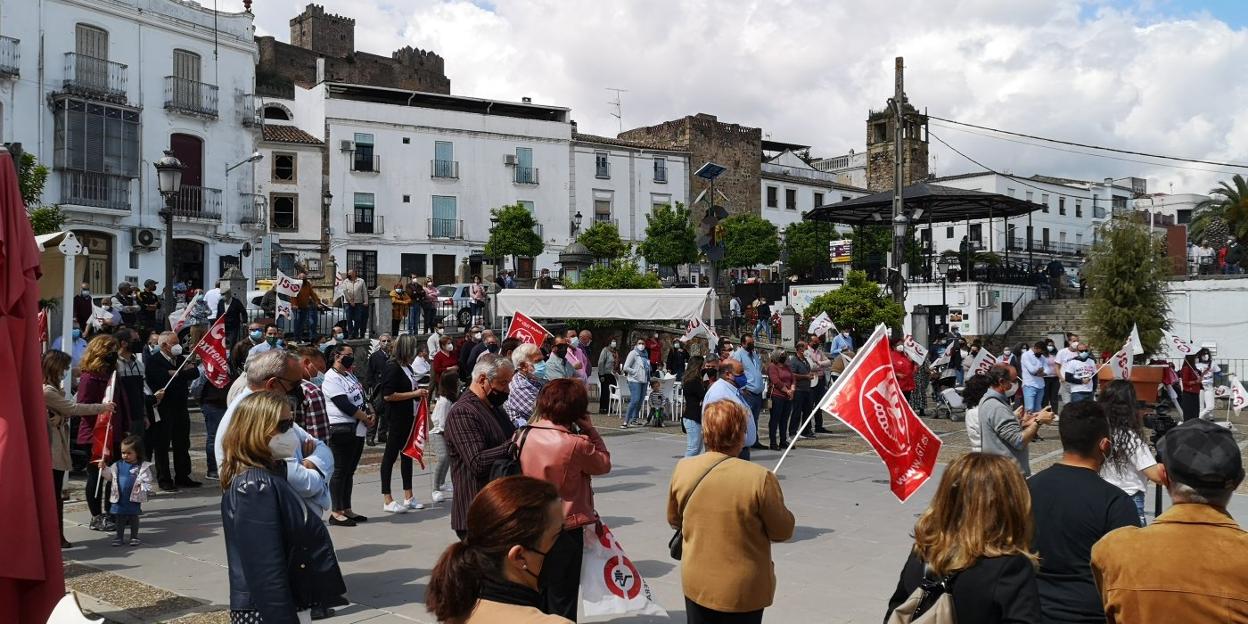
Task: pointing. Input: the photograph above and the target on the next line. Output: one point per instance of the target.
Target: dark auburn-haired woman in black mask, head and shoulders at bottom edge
(491, 576)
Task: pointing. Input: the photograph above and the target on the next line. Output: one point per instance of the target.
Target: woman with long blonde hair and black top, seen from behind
(975, 539)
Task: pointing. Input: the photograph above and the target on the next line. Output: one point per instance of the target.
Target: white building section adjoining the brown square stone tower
(622, 182)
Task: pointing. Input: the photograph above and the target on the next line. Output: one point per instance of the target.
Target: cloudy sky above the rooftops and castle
(1163, 77)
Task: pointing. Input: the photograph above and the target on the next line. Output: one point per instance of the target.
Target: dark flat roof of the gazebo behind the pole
(939, 205)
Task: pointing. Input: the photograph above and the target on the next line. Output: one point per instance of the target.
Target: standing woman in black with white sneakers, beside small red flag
(400, 390)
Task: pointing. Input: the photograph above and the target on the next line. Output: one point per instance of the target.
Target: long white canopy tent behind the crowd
(638, 305)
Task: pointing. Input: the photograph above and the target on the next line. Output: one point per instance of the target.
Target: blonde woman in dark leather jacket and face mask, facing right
(280, 556)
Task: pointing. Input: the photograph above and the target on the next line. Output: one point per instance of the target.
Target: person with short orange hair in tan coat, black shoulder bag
(729, 511)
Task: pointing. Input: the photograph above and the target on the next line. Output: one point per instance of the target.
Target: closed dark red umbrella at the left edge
(32, 580)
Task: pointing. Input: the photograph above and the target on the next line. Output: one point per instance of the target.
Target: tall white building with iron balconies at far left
(98, 89)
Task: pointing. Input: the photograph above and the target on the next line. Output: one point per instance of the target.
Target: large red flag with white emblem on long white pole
(868, 399)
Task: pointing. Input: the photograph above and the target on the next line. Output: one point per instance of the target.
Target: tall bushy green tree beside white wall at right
(1128, 273)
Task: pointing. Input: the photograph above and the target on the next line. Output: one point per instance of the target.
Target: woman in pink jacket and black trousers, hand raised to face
(566, 450)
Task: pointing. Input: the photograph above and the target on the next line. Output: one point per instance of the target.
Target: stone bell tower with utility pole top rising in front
(880, 155)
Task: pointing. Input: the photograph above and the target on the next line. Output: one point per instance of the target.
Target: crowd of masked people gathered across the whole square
(516, 451)
